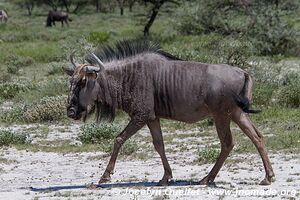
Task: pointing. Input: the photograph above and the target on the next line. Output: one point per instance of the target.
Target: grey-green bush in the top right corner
(270, 34)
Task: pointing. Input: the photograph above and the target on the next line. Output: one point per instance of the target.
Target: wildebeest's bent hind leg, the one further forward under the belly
(225, 136)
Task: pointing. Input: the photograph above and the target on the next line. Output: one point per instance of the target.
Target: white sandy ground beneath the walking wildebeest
(239, 176)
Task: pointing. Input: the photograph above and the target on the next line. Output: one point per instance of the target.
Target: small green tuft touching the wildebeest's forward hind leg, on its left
(208, 155)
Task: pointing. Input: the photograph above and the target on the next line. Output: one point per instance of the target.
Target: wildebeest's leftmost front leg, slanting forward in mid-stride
(131, 129)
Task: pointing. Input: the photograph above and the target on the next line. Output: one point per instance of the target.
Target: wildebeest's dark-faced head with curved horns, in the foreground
(84, 88)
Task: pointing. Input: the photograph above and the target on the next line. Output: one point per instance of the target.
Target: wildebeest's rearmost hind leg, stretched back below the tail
(251, 131)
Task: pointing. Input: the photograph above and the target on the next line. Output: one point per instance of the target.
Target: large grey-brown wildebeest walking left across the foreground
(149, 84)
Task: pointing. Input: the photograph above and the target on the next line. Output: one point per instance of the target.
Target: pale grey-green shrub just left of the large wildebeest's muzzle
(46, 109)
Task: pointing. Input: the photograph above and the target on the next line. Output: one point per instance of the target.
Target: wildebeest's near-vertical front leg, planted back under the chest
(158, 143)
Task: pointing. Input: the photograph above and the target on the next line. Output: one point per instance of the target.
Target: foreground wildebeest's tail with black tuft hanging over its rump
(243, 100)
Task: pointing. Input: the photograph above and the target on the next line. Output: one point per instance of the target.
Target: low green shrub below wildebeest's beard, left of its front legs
(98, 133)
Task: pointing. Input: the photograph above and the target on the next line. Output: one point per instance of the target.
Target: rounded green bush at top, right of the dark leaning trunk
(210, 16)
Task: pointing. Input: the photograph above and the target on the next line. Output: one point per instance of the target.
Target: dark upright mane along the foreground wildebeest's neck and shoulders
(128, 48)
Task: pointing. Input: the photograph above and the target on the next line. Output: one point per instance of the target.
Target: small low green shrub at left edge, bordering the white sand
(9, 138)
